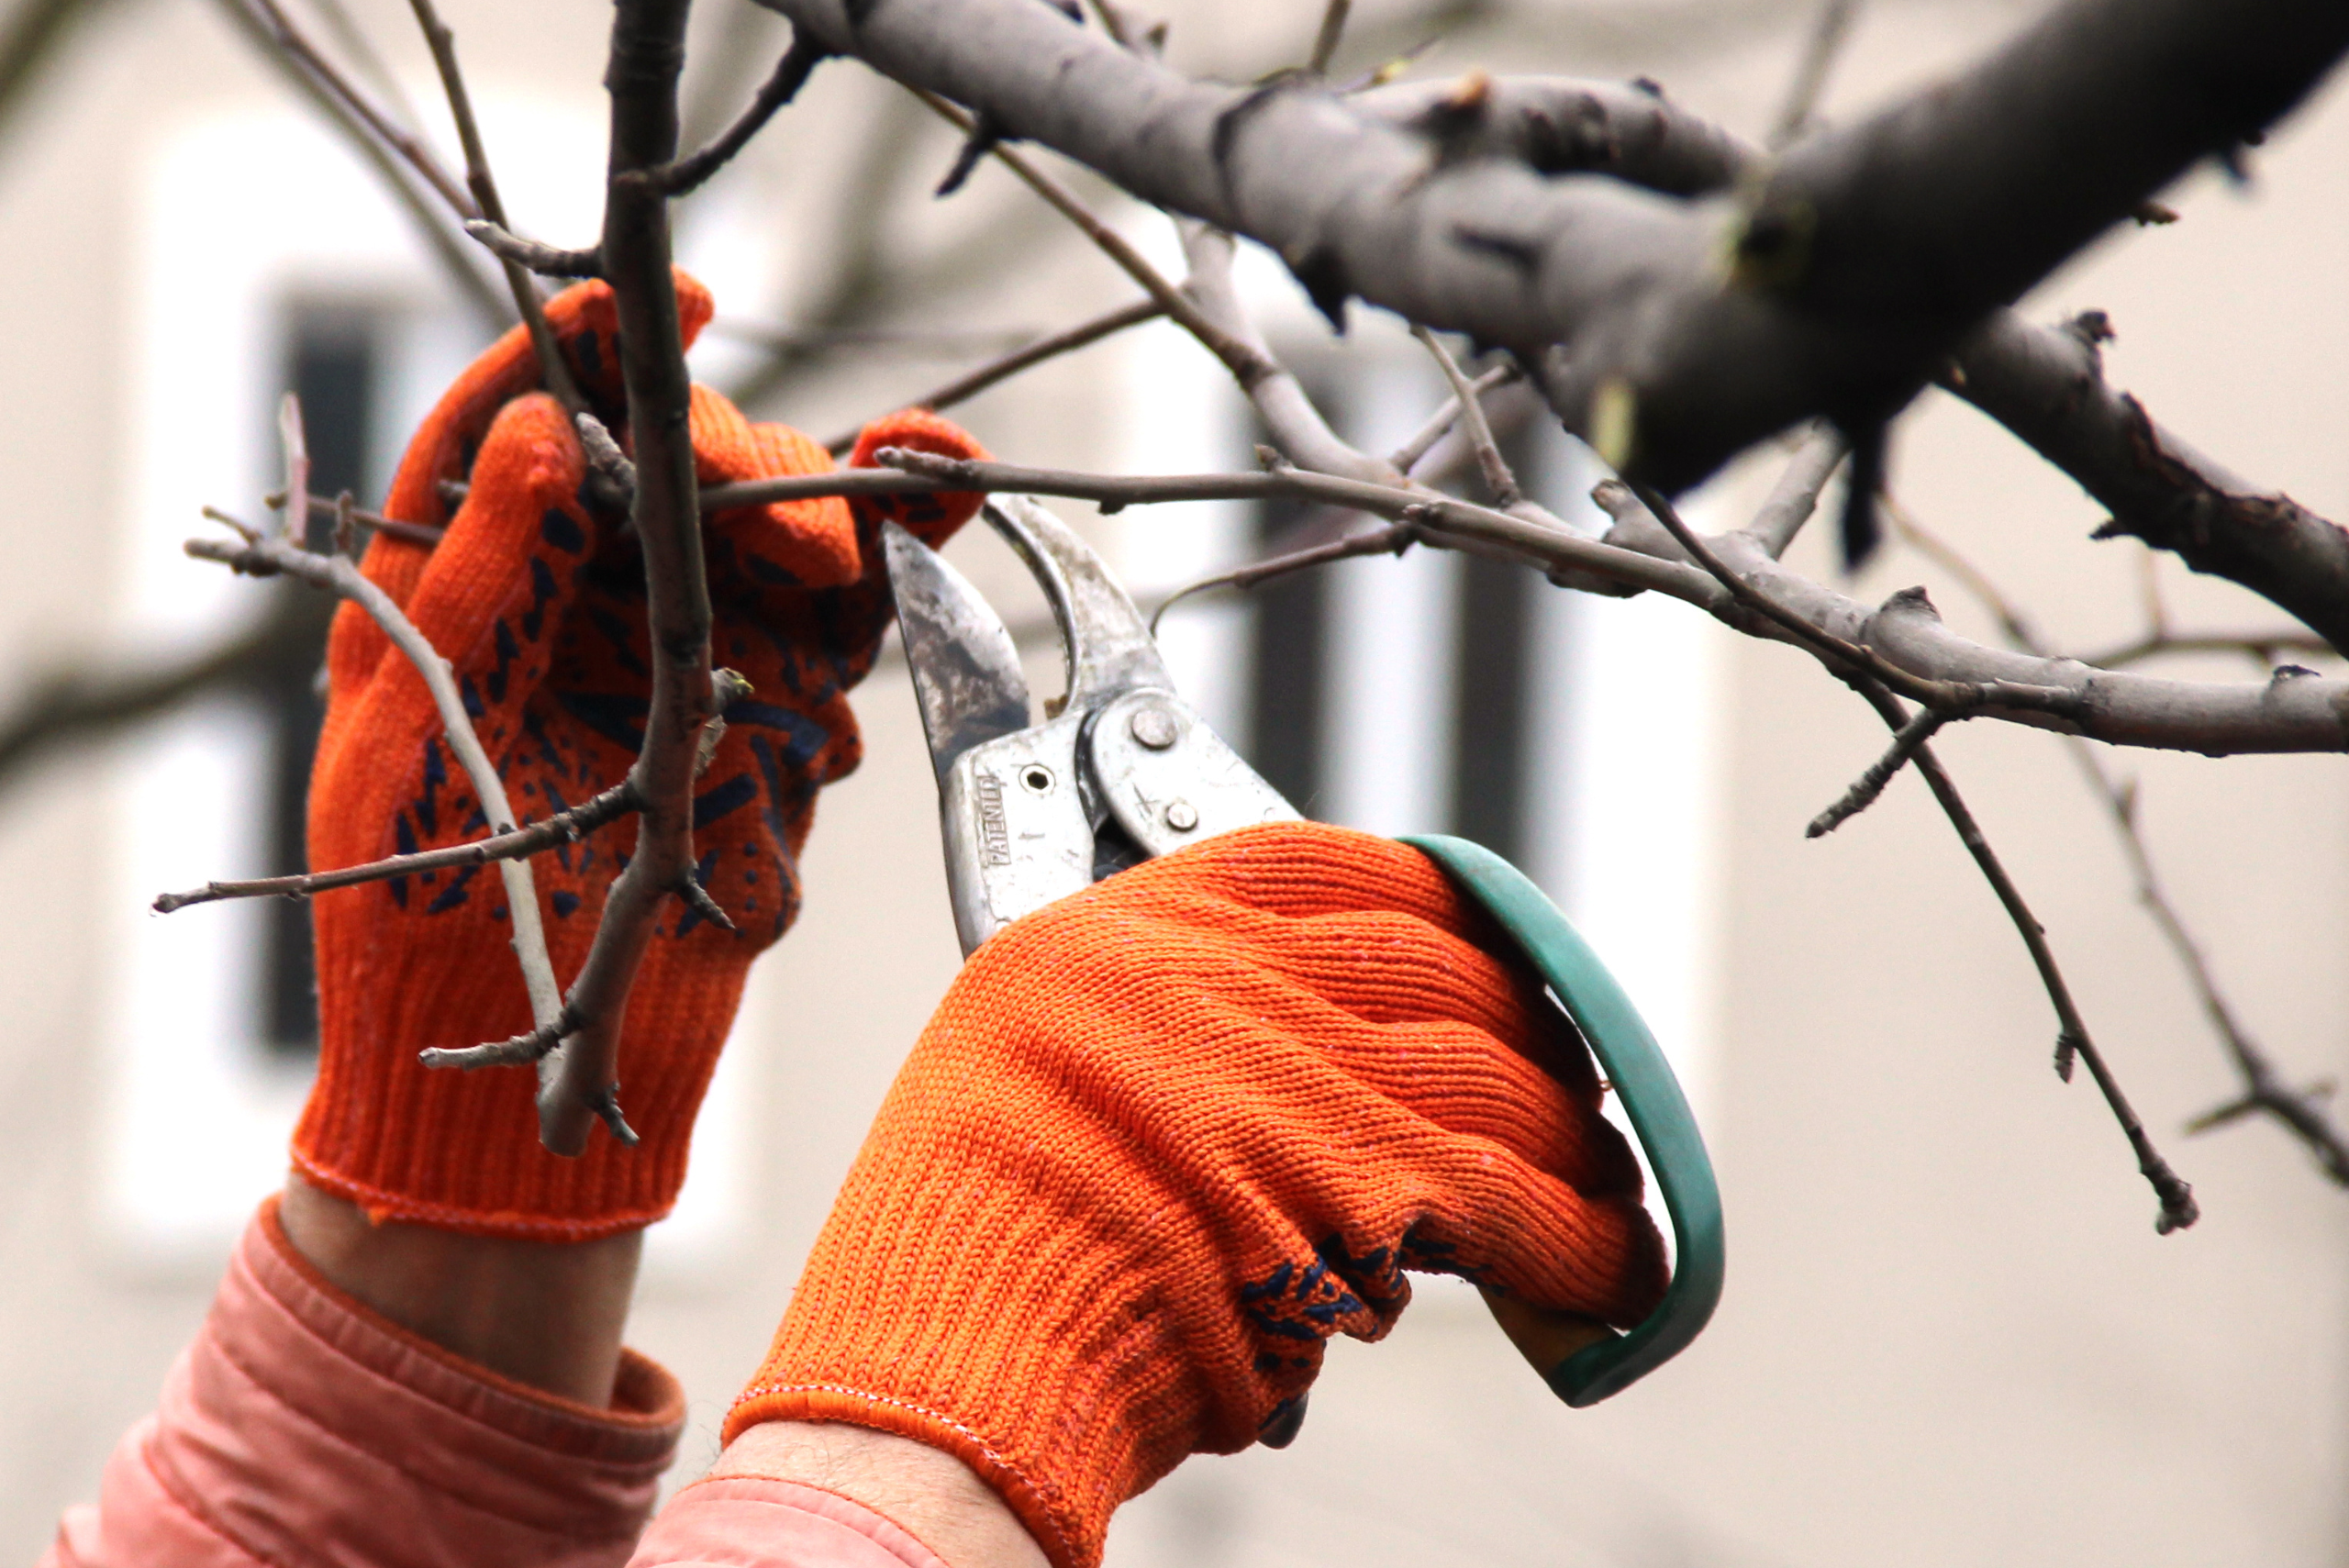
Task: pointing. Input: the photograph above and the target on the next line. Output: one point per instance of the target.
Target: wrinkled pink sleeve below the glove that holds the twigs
(304, 1431)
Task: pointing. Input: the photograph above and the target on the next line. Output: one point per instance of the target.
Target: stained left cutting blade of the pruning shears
(967, 673)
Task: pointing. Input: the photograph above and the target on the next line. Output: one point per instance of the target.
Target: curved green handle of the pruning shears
(1653, 1102)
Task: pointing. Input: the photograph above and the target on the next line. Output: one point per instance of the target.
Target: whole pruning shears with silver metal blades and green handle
(1122, 771)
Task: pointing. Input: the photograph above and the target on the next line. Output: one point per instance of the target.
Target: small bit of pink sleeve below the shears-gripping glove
(751, 1522)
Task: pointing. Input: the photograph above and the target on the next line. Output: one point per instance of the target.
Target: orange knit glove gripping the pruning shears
(1166, 1137)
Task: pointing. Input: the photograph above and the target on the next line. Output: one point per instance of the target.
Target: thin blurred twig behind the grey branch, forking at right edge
(2263, 1086)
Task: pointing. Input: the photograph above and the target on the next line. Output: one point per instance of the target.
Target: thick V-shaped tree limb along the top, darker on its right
(1859, 264)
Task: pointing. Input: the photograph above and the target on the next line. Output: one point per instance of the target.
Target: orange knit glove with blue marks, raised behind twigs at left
(537, 600)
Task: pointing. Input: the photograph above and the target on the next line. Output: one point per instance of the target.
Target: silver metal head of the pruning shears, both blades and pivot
(1122, 773)
